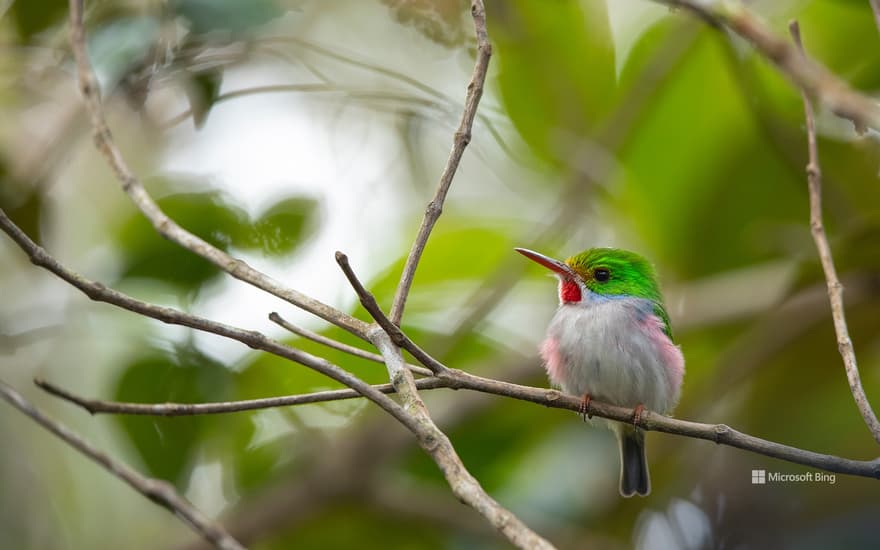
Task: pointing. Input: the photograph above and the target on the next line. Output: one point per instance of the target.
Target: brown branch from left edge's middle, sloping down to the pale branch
(253, 339)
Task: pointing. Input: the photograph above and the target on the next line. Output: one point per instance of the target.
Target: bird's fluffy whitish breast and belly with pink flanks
(615, 350)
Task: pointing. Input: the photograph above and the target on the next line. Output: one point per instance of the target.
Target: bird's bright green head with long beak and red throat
(606, 273)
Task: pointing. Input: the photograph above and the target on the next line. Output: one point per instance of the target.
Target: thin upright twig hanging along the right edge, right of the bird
(835, 289)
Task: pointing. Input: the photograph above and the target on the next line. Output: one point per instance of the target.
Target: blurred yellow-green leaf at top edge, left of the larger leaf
(556, 70)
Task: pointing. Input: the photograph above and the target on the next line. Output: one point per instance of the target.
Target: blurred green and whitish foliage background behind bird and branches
(667, 137)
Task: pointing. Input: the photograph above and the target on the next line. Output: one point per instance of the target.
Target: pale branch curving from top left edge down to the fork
(164, 225)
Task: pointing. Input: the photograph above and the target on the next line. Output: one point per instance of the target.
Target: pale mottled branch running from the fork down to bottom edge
(436, 443)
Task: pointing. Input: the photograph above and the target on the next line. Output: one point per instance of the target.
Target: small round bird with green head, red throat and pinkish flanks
(610, 340)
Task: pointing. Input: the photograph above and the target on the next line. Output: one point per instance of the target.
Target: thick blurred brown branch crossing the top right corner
(810, 75)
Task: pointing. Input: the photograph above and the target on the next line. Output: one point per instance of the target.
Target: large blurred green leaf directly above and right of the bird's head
(705, 203)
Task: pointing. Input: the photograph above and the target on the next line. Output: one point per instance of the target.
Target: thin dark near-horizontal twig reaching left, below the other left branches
(97, 406)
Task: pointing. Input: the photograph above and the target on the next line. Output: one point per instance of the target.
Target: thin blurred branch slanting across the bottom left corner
(159, 491)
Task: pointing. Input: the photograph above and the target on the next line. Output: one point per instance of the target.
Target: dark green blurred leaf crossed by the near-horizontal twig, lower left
(168, 445)
